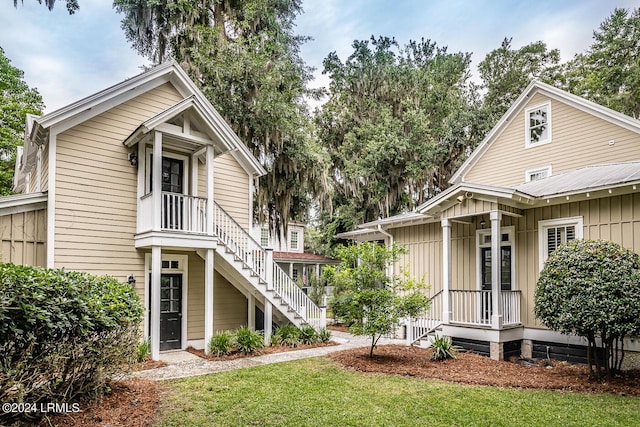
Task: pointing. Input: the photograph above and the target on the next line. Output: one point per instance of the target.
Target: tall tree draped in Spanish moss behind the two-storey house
(245, 58)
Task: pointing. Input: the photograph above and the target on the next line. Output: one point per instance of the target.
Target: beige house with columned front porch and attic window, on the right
(556, 167)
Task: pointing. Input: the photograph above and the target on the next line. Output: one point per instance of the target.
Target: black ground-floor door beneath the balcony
(170, 311)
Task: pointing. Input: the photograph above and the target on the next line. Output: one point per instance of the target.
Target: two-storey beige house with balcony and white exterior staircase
(146, 182)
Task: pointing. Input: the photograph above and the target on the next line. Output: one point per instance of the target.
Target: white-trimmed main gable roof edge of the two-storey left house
(39, 128)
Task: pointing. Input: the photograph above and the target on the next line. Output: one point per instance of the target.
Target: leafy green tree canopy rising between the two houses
(396, 124)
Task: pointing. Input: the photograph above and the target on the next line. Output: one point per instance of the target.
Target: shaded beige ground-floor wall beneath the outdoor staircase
(229, 304)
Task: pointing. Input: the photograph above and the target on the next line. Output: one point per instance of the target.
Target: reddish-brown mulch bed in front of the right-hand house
(470, 368)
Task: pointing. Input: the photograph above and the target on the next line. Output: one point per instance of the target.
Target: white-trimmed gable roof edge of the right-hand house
(560, 95)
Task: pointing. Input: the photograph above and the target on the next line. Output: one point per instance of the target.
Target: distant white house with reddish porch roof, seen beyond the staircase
(289, 254)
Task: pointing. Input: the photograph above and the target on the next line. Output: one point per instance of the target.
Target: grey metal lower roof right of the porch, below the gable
(583, 179)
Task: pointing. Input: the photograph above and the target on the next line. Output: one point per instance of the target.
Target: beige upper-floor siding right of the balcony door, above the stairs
(230, 187)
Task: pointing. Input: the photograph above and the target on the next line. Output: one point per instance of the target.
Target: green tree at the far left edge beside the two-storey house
(17, 100)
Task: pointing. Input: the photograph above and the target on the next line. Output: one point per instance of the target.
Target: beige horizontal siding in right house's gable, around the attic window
(578, 139)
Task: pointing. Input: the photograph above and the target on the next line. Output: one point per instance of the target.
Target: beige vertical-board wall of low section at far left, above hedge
(23, 238)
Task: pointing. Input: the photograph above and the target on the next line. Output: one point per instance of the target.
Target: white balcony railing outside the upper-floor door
(178, 212)
